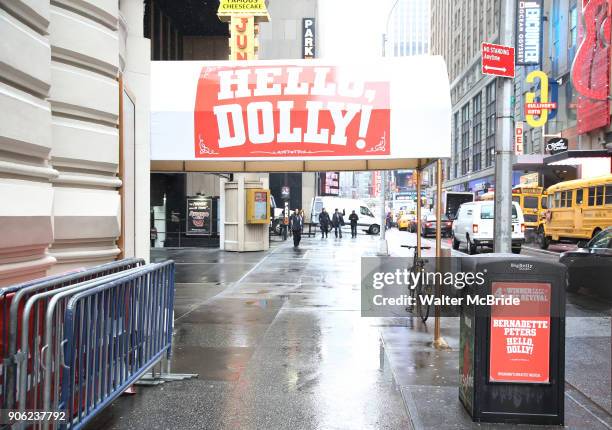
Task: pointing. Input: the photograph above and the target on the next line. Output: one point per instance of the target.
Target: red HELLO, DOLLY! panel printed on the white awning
(288, 111)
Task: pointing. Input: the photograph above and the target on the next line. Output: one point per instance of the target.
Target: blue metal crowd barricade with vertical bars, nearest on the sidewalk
(115, 333)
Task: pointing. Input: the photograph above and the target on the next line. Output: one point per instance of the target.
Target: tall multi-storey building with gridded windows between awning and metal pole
(457, 30)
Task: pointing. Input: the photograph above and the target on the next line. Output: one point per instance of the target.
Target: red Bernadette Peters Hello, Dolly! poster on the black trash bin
(520, 335)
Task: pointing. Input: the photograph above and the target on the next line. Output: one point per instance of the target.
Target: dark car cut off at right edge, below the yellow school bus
(591, 267)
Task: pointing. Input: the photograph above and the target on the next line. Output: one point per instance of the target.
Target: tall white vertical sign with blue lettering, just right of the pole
(529, 32)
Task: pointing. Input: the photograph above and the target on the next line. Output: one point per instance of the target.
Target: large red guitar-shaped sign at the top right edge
(590, 71)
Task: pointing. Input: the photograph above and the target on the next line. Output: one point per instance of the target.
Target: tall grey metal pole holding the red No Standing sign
(504, 150)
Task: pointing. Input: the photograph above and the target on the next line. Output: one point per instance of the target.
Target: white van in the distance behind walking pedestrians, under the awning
(366, 217)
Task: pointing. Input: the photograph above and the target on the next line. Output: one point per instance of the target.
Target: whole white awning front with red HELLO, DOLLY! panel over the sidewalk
(397, 108)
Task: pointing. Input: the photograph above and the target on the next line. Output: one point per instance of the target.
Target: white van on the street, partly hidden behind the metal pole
(473, 226)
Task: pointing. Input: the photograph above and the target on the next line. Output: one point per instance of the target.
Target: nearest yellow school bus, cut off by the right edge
(577, 210)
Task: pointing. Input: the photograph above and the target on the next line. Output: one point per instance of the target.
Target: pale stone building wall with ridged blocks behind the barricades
(74, 135)
